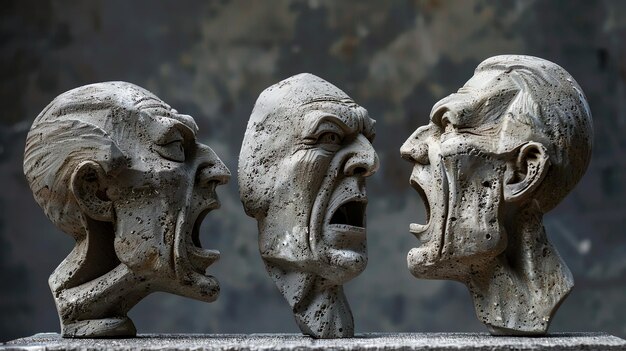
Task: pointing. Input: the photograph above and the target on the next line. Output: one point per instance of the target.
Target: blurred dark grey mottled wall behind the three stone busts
(211, 59)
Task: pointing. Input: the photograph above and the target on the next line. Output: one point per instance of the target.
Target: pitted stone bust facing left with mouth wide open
(497, 155)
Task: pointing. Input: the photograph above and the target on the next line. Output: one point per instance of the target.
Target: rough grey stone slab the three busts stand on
(370, 341)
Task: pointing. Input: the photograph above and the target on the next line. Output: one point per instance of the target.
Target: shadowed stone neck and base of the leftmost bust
(92, 290)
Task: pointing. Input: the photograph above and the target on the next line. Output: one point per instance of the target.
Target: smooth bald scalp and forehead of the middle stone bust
(283, 115)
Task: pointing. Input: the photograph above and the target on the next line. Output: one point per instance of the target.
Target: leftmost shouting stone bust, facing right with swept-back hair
(122, 173)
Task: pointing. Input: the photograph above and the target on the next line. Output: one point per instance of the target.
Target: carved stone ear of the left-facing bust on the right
(526, 172)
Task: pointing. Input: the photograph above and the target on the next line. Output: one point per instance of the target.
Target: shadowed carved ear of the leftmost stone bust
(88, 184)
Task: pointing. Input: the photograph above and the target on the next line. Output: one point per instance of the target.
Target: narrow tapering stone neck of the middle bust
(320, 310)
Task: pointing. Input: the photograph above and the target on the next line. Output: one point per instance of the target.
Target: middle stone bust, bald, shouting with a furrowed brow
(305, 156)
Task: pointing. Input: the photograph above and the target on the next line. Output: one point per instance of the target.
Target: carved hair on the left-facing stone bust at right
(553, 103)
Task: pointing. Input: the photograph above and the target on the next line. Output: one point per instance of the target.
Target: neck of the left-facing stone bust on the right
(523, 287)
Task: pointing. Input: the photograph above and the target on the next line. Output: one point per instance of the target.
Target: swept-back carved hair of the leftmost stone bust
(76, 126)
